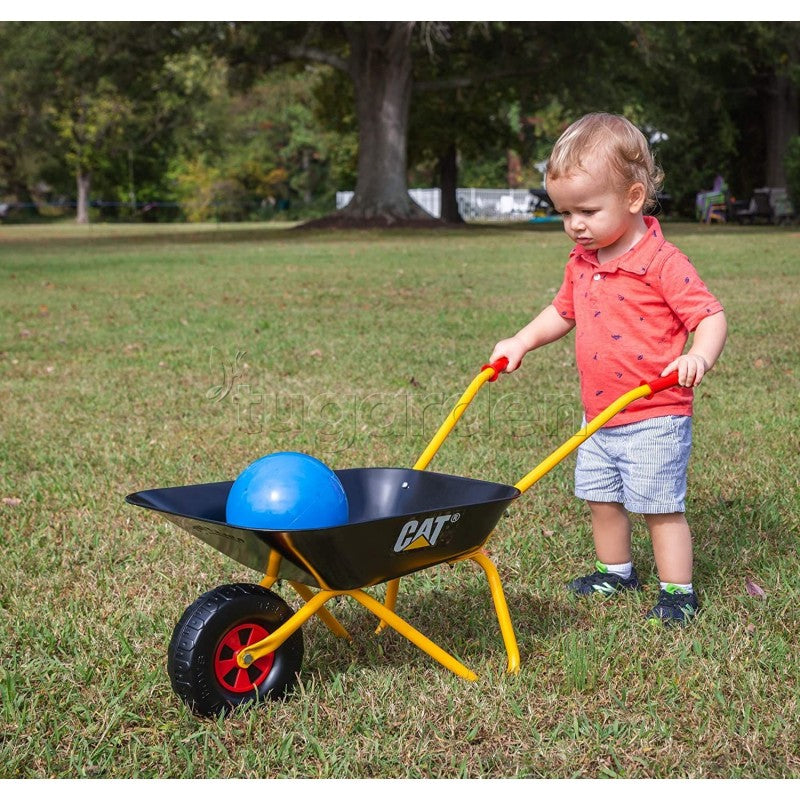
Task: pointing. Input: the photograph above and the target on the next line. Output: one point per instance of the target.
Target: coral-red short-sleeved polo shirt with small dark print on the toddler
(632, 316)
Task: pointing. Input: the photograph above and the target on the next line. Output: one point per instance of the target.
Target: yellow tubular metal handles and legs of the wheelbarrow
(315, 601)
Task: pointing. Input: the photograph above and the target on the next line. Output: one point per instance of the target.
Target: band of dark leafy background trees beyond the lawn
(256, 120)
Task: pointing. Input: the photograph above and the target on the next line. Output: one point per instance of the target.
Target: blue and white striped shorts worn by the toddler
(641, 465)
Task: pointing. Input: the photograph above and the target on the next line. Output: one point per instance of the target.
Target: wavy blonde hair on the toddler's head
(615, 139)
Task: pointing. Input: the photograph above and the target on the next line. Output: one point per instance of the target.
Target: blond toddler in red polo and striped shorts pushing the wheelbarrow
(632, 298)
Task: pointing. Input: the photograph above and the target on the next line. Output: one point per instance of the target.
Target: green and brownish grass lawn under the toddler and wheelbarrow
(134, 357)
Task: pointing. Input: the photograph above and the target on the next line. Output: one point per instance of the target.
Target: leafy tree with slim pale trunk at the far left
(103, 88)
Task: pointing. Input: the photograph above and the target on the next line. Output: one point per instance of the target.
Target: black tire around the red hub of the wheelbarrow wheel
(198, 638)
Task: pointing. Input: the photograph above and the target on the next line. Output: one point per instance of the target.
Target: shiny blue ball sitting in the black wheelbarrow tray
(287, 491)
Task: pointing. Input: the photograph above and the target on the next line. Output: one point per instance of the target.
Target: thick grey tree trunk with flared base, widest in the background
(381, 69)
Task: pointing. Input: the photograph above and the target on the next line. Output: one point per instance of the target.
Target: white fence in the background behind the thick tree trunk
(473, 204)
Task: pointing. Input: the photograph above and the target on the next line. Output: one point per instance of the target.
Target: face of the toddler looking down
(597, 214)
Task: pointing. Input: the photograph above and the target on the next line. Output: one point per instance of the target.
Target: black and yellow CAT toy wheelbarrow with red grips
(241, 642)
